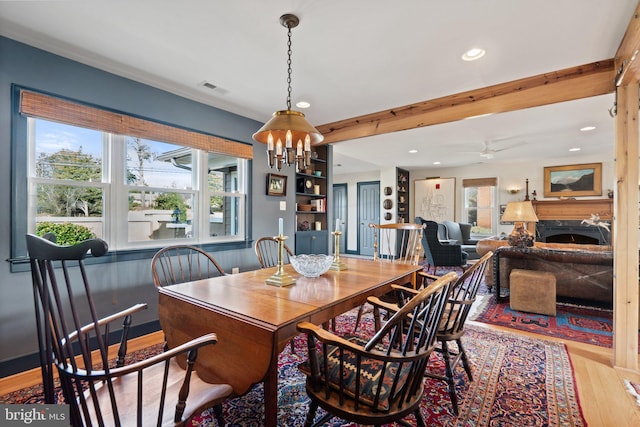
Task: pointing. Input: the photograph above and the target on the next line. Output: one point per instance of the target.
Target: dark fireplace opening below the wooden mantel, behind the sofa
(568, 231)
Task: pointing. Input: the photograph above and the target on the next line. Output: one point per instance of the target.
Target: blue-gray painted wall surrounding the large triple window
(124, 283)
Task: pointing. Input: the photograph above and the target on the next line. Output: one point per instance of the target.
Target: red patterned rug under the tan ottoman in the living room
(582, 324)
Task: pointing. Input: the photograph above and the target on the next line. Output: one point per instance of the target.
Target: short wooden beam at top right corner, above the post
(627, 62)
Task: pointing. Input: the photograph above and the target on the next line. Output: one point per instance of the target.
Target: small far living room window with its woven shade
(479, 205)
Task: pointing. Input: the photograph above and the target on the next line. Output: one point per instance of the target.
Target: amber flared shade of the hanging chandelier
(285, 120)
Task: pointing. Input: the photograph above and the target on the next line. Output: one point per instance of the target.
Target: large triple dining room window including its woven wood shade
(129, 188)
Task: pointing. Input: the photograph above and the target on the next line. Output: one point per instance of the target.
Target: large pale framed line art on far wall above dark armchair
(435, 199)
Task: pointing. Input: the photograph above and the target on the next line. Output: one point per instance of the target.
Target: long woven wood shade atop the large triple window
(47, 107)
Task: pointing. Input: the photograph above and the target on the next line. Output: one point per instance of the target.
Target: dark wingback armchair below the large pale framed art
(437, 253)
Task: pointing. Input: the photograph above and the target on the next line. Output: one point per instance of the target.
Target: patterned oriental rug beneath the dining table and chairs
(517, 381)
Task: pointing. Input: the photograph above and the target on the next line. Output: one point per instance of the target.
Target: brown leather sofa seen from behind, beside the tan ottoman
(584, 273)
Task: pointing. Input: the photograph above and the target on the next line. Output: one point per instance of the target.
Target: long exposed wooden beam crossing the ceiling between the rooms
(578, 82)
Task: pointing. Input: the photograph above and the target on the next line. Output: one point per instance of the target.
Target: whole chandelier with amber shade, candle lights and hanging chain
(288, 126)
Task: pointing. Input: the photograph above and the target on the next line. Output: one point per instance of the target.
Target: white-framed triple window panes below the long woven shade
(132, 191)
